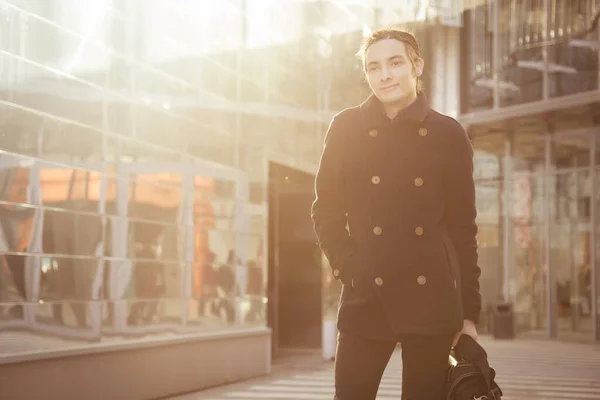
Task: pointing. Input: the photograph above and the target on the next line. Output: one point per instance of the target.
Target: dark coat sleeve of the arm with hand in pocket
(329, 210)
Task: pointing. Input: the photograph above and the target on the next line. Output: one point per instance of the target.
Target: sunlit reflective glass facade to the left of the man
(135, 142)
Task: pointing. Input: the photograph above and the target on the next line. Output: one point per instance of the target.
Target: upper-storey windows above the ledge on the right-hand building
(525, 31)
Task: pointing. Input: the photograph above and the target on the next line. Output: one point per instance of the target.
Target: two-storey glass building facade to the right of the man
(530, 98)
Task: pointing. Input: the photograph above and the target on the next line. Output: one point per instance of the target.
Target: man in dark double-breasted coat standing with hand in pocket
(395, 215)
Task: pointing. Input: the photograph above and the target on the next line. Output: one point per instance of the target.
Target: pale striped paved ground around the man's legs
(527, 370)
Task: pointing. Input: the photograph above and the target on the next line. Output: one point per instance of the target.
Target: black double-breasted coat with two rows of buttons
(395, 215)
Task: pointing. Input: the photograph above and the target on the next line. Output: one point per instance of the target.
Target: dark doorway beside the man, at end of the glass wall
(295, 287)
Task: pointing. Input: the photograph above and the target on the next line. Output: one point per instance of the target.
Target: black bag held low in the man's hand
(470, 377)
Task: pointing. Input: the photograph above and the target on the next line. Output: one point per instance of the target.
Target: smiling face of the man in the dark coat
(390, 72)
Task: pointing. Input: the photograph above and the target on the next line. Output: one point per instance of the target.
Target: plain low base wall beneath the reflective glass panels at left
(159, 370)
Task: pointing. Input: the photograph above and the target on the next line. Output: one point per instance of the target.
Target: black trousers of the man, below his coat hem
(360, 363)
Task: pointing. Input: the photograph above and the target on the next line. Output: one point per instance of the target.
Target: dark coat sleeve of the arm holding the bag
(460, 215)
